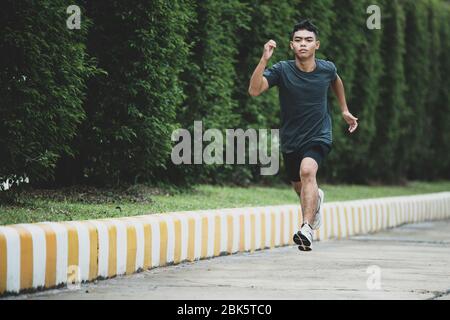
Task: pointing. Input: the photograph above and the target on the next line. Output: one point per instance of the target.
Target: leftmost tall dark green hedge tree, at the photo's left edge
(43, 73)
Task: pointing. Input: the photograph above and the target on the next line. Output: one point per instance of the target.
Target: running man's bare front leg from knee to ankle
(309, 190)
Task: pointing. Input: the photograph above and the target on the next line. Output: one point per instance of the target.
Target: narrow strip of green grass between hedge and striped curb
(90, 203)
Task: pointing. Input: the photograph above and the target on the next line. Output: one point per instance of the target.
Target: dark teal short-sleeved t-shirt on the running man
(305, 117)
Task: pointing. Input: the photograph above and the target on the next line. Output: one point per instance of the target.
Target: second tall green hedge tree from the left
(131, 109)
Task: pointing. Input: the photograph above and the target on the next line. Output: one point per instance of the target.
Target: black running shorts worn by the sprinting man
(292, 161)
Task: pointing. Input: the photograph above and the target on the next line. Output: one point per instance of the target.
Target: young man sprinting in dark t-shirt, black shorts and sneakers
(306, 133)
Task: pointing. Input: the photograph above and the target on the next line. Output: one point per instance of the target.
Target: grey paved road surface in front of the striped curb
(409, 262)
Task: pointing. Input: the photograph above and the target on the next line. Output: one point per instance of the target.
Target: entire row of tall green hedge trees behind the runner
(97, 106)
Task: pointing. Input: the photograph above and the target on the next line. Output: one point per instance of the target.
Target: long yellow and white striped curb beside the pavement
(46, 255)
